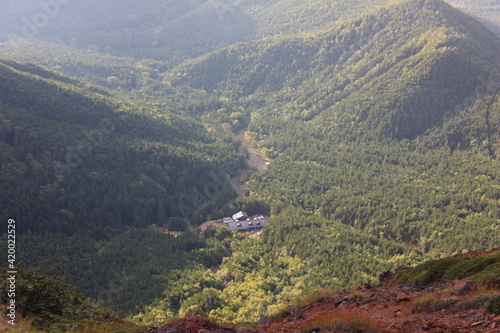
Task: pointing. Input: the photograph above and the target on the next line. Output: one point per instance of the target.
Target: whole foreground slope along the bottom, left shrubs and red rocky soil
(430, 302)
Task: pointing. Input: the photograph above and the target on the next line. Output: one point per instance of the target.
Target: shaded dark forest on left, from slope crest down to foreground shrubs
(80, 168)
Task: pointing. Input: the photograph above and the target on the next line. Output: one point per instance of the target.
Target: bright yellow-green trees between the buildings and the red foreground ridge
(296, 254)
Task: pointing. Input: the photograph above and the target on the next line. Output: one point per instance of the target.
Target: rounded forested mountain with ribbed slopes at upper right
(314, 77)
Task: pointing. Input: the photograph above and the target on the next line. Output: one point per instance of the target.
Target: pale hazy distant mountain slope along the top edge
(170, 30)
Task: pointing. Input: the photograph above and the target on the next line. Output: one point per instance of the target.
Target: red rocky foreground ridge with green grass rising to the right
(431, 304)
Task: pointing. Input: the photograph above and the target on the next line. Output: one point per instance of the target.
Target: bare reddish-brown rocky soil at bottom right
(390, 311)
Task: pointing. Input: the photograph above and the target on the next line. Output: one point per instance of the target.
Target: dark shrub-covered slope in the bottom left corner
(48, 304)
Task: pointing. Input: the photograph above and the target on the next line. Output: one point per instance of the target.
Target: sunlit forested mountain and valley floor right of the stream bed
(387, 124)
